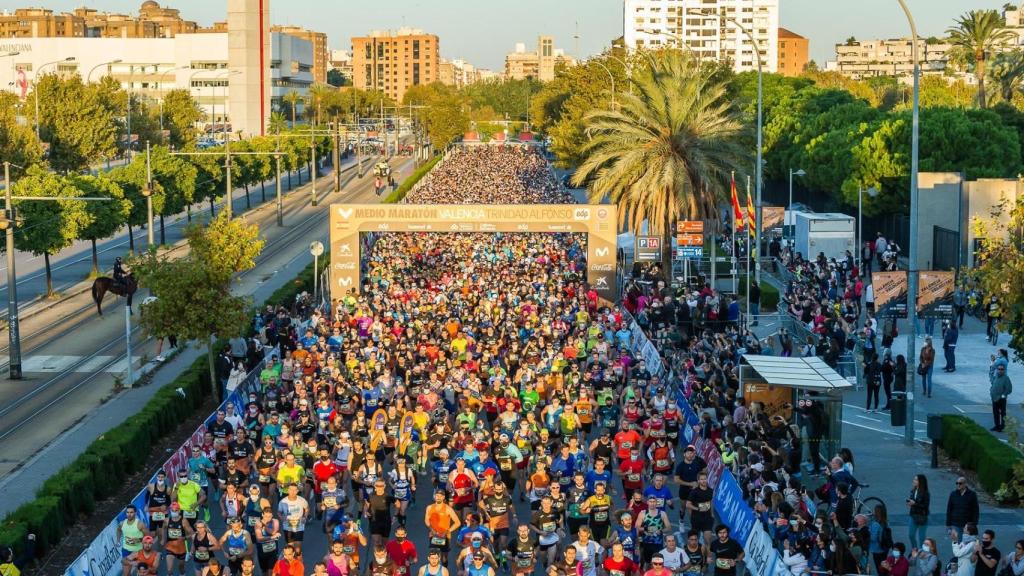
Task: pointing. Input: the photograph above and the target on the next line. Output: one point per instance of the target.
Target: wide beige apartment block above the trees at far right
(868, 59)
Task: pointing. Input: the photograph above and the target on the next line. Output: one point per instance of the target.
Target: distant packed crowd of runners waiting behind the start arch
(490, 175)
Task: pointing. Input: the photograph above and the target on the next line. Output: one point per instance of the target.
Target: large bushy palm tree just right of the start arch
(667, 149)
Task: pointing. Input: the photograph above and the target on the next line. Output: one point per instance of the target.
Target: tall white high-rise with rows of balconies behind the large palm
(708, 28)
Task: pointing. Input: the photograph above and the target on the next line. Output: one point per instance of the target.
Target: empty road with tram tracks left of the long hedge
(72, 357)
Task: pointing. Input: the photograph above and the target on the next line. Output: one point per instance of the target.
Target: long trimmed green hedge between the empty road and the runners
(122, 451)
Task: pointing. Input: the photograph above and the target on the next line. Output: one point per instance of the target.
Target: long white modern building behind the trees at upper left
(151, 67)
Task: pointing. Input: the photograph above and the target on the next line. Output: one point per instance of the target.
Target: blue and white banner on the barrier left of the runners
(103, 558)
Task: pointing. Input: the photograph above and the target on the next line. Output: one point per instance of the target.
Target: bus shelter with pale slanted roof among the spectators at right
(806, 392)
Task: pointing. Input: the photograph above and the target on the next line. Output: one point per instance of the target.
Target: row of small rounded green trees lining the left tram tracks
(179, 184)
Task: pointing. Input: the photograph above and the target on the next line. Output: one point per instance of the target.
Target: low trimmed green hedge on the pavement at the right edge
(978, 450)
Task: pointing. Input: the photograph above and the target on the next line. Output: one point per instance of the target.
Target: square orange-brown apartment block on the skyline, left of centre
(395, 61)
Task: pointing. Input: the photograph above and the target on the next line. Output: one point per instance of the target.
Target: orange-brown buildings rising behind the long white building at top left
(153, 22)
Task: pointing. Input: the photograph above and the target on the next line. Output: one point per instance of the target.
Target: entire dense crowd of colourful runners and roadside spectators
(478, 409)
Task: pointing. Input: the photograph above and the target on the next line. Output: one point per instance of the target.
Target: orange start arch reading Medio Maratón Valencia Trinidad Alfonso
(350, 222)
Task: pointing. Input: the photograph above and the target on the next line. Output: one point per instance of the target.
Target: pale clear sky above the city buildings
(484, 31)
